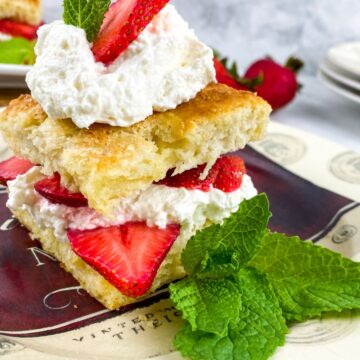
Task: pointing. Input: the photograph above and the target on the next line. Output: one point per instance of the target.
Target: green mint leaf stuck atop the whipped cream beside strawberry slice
(86, 14)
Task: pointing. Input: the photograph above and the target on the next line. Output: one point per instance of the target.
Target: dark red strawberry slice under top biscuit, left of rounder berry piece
(190, 179)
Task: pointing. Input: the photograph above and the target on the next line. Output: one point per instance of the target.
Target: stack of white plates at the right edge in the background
(340, 70)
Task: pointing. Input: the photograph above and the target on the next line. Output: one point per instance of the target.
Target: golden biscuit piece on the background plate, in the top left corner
(27, 11)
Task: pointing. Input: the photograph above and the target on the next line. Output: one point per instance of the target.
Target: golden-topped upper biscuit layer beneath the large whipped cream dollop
(109, 163)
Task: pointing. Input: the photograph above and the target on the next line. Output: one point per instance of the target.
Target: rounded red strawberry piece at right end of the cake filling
(231, 170)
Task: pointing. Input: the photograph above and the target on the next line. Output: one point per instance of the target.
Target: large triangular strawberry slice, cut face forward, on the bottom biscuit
(128, 256)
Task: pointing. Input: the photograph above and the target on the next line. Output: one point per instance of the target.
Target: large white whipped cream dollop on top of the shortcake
(165, 66)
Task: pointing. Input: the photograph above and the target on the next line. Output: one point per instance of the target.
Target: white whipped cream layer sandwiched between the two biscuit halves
(158, 205)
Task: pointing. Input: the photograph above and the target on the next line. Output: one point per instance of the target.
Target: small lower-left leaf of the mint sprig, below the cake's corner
(209, 305)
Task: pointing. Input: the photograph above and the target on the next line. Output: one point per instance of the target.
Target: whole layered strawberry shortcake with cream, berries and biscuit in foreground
(121, 148)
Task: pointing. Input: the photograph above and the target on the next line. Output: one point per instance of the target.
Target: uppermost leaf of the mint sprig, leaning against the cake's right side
(241, 232)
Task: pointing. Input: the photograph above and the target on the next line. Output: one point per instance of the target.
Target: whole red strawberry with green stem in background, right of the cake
(279, 85)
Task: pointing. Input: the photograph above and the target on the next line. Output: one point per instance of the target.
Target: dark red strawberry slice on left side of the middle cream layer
(51, 189)
